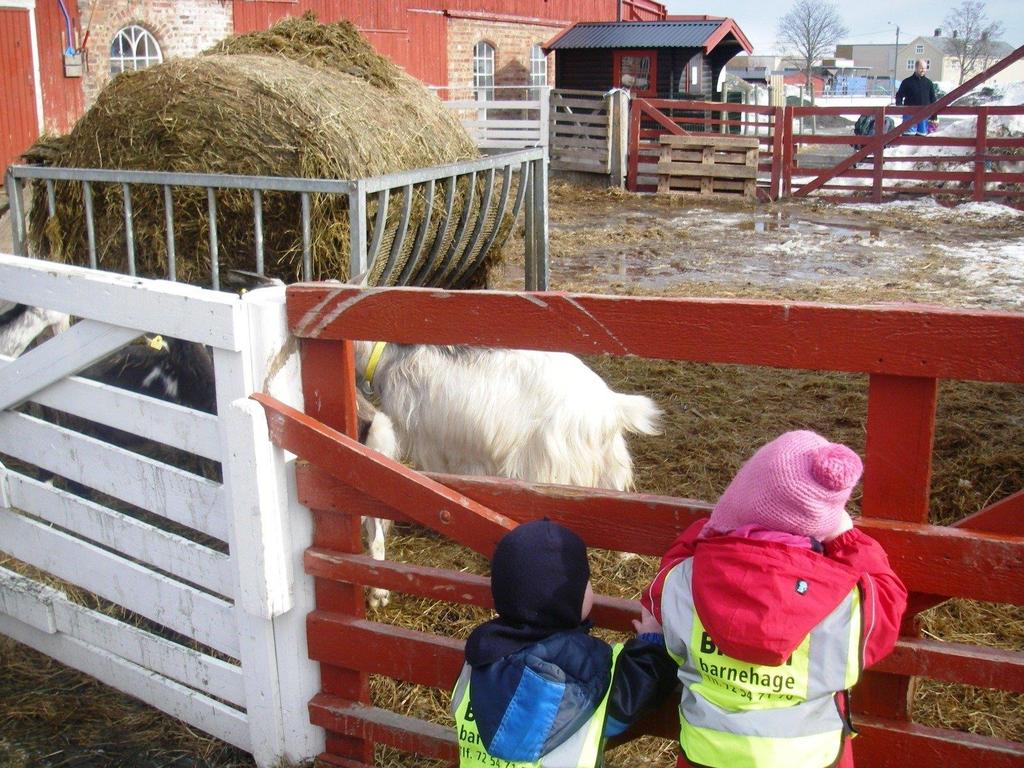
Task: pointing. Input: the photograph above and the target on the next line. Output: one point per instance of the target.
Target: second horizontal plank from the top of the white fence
(174, 425)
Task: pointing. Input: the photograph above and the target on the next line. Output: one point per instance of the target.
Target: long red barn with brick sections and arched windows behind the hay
(59, 55)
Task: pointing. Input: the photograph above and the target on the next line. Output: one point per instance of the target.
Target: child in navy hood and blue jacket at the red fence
(537, 680)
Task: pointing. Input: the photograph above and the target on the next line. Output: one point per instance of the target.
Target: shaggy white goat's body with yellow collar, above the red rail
(539, 417)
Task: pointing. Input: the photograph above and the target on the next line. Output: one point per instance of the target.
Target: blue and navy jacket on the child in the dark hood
(530, 702)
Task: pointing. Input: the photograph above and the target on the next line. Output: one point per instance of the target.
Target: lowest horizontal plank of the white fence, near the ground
(198, 710)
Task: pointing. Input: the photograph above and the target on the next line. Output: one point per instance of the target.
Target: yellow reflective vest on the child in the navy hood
(582, 750)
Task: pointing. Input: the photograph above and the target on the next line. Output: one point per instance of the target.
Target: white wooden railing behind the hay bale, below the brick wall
(504, 117)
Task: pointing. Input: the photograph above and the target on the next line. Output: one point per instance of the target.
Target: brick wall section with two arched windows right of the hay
(513, 42)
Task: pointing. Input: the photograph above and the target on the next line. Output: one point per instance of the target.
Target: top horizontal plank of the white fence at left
(176, 310)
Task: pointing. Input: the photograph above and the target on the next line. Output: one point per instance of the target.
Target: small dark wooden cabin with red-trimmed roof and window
(680, 58)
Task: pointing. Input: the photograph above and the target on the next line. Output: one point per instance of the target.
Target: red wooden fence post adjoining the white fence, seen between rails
(329, 393)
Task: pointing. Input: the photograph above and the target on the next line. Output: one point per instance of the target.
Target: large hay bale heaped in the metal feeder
(301, 100)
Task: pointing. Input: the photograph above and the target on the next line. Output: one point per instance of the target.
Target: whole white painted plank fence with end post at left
(197, 561)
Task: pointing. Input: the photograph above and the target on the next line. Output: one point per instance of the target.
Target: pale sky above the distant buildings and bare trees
(871, 23)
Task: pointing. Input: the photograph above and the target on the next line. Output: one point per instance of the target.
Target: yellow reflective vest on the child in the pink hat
(739, 715)
